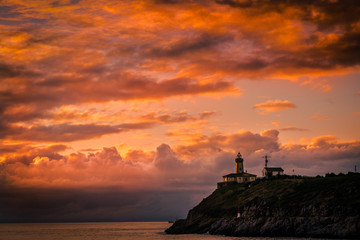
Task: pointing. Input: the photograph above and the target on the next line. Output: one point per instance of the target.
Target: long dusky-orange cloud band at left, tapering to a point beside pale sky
(124, 87)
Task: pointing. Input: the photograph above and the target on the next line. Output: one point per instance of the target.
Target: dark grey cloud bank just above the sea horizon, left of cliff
(94, 204)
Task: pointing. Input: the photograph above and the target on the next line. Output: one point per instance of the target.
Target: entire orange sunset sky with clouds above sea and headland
(134, 110)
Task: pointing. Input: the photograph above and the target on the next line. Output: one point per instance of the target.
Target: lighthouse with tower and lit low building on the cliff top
(239, 176)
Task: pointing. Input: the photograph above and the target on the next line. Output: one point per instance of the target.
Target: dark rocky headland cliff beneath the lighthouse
(303, 207)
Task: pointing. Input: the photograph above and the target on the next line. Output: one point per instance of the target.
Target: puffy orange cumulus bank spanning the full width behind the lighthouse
(166, 167)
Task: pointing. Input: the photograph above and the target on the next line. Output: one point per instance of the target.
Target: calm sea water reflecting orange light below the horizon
(92, 231)
